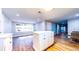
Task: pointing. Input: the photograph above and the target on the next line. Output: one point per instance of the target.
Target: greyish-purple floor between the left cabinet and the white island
(23, 44)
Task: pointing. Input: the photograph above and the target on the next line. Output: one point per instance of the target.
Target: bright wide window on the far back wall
(24, 27)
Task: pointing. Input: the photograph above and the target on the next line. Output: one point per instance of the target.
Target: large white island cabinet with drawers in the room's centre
(42, 40)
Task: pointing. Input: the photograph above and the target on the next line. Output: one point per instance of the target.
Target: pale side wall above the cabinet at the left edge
(5, 23)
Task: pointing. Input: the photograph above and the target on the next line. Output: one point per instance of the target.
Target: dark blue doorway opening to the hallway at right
(62, 28)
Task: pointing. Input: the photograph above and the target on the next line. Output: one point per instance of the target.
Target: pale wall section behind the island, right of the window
(43, 26)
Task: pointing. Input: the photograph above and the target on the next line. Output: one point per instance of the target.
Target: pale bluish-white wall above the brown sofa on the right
(73, 25)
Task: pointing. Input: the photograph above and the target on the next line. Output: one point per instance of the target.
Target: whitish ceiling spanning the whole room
(39, 14)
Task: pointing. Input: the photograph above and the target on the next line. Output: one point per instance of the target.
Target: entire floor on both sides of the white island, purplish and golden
(61, 44)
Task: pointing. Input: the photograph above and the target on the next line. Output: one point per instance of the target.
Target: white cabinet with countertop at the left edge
(5, 42)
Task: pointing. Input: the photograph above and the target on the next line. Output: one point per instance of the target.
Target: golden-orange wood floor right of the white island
(64, 44)
